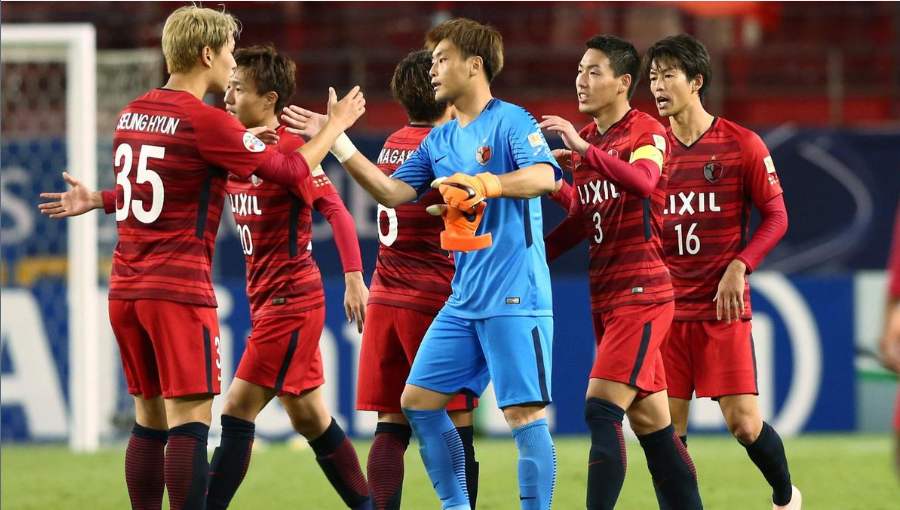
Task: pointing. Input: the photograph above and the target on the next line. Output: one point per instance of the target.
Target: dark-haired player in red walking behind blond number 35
(287, 301)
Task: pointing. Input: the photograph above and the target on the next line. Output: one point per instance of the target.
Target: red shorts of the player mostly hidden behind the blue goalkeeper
(391, 338)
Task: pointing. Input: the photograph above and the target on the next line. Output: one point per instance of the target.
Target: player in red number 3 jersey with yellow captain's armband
(617, 203)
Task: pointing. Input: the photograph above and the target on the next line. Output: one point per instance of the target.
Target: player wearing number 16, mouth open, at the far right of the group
(717, 171)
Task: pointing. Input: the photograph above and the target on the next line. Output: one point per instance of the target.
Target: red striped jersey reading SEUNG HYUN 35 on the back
(172, 155)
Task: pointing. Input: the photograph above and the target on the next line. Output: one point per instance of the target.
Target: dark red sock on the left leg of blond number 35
(144, 467)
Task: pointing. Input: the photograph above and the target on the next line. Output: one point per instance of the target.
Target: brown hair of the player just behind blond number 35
(269, 70)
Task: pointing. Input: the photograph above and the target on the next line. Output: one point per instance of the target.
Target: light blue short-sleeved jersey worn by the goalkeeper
(510, 277)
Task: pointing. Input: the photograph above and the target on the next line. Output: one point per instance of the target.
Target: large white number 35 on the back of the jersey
(124, 160)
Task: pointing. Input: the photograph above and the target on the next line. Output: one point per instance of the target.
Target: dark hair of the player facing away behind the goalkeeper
(411, 86)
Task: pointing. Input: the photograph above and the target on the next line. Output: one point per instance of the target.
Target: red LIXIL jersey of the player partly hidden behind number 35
(274, 225)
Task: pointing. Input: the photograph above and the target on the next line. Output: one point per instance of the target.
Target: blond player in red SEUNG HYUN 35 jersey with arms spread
(172, 157)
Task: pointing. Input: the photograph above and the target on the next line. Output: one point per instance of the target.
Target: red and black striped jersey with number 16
(712, 184)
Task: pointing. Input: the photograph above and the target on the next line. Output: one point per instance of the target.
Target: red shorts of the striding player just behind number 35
(283, 352)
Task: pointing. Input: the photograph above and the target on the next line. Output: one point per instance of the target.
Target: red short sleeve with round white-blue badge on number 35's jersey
(225, 143)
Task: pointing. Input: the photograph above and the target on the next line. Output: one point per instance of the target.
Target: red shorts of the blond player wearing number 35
(167, 348)
